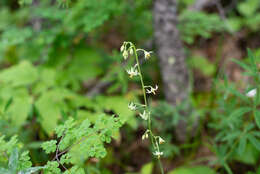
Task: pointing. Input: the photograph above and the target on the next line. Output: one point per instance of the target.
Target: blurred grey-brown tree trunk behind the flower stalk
(171, 57)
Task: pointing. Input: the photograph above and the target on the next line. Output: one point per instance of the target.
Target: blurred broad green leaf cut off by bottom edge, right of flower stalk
(193, 170)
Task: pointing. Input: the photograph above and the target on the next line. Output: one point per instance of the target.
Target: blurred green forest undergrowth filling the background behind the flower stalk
(61, 59)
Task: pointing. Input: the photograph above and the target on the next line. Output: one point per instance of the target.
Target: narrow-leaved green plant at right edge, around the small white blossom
(236, 120)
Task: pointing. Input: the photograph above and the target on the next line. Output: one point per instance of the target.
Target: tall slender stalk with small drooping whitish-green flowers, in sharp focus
(128, 49)
